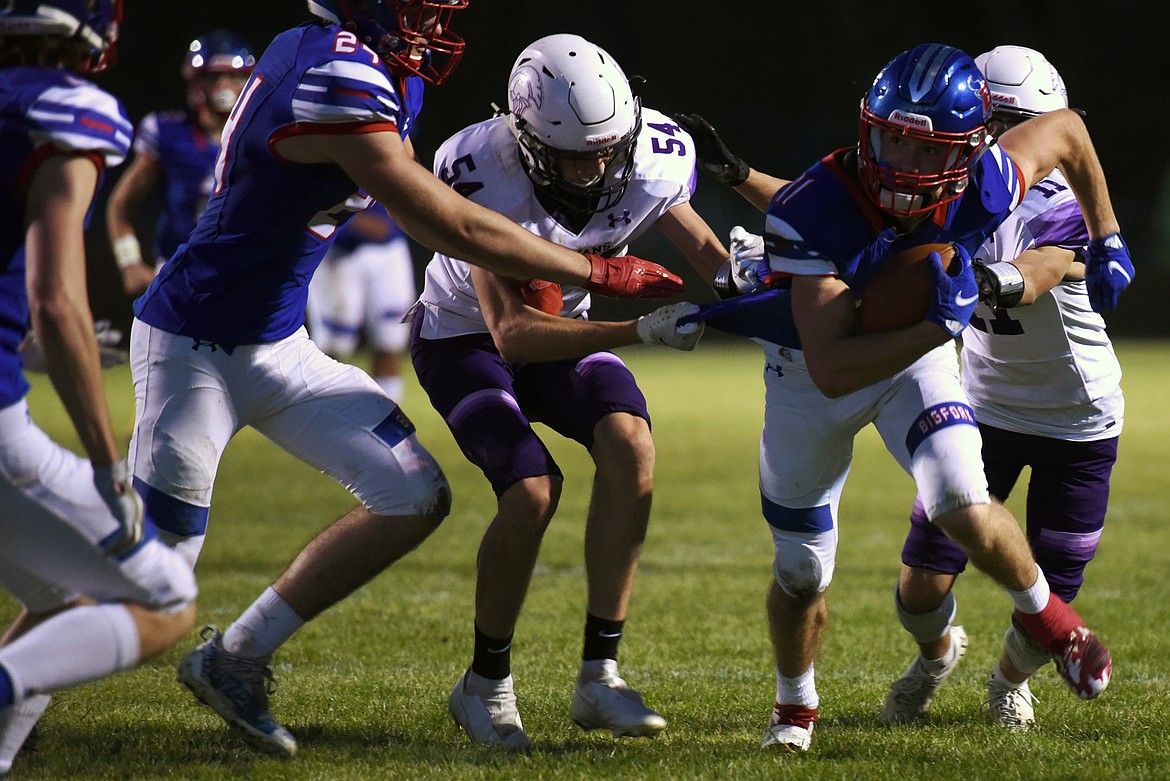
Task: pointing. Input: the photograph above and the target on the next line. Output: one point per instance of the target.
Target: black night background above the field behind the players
(782, 81)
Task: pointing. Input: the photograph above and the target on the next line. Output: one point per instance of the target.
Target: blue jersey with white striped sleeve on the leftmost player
(44, 112)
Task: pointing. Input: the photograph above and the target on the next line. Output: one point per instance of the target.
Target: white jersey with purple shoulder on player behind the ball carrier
(1048, 369)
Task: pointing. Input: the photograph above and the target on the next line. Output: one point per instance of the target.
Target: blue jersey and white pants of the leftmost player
(54, 521)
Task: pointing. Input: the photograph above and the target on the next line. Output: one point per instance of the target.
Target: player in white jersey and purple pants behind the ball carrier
(1045, 386)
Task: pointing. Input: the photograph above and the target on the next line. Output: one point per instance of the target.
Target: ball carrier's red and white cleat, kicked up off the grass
(1082, 659)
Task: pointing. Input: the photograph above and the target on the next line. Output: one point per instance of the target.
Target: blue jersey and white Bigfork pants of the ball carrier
(822, 224)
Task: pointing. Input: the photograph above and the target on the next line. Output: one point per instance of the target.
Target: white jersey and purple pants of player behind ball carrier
(1045, 386)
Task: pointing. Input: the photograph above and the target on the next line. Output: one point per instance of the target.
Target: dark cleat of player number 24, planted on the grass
(238, 689)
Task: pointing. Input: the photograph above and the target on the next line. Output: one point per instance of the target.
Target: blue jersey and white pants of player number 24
(219, 342)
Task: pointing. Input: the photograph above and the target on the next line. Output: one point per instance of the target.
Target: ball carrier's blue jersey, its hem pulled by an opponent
(824, 225)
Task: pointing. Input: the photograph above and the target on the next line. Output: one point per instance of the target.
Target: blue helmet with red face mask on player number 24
(411, 37)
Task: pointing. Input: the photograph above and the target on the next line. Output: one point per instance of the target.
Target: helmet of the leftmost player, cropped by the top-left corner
(94, 23)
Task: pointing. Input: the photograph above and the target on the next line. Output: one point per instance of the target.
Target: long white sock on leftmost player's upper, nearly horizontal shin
(72, 648)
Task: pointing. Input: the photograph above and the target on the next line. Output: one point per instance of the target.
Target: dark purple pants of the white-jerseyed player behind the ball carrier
(1068, 497)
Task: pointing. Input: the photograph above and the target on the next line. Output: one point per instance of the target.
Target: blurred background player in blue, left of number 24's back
(175, 151)
